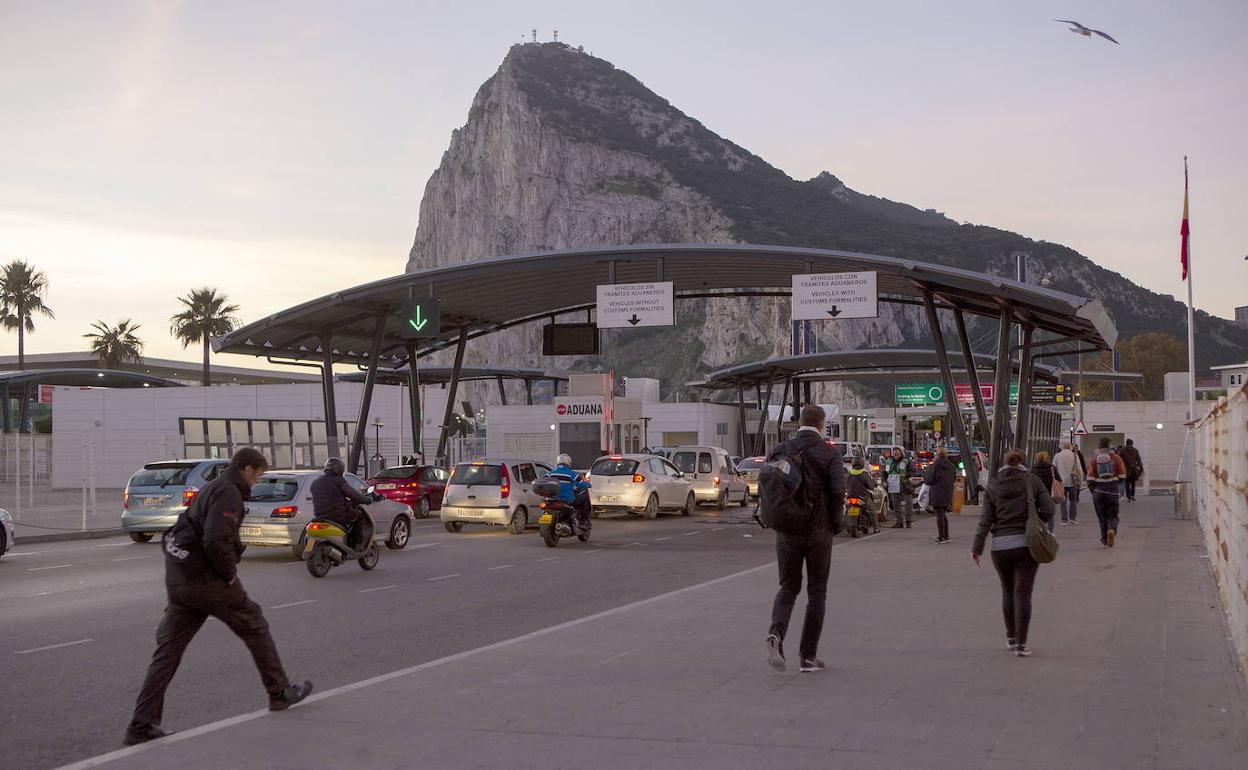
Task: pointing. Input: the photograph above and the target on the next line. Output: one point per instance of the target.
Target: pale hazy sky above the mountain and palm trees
(279, 150)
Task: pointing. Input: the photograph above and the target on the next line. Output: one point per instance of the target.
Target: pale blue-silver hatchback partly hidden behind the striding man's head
(160, 492)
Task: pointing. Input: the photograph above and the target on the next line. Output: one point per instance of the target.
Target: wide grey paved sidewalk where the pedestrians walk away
(1133, 668)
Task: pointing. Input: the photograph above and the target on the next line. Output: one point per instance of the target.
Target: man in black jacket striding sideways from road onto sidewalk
(202, 578)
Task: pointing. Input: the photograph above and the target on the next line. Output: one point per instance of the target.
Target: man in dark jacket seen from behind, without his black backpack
(824, 490)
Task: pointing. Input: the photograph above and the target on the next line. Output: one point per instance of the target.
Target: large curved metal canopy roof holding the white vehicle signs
(495, 294)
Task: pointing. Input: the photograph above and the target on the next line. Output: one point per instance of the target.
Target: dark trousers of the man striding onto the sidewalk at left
(189, 607)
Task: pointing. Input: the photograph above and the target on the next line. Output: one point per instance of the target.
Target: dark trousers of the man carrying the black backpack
(816, 552)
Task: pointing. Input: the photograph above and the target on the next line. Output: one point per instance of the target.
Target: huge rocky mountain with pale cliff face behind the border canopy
(565, 150)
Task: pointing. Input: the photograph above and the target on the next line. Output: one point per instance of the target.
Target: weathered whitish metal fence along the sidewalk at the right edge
(1222, 507)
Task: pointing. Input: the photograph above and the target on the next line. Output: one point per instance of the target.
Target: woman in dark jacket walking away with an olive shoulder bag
(1005, 516)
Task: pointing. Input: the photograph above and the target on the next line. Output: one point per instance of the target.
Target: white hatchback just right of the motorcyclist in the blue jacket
(640, 484)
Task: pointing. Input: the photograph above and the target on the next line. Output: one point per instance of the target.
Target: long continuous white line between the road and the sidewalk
(95, 762)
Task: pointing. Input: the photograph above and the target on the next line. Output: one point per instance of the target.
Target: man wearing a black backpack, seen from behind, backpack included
(802, 494)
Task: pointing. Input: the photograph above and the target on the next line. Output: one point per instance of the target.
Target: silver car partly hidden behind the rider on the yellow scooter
(281, 507)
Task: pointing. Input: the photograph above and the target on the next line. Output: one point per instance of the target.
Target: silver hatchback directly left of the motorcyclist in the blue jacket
(494, 492)
